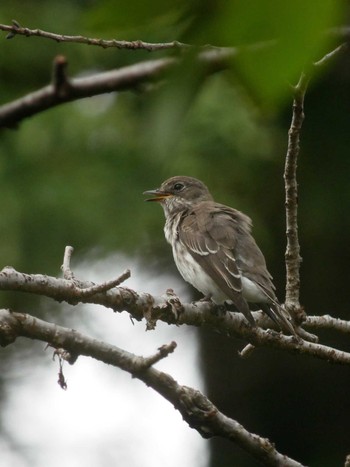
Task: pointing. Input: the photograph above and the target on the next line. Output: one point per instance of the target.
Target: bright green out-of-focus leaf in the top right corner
(276, 39)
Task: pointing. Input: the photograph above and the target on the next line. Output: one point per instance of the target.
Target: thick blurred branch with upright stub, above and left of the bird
(128, 78)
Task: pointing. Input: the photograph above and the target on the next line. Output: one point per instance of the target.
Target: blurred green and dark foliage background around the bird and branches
(75, 175)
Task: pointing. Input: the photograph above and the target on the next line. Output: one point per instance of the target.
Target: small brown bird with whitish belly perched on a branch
(214, 250)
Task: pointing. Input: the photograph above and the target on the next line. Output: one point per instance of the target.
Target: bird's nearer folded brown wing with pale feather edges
(210, 235)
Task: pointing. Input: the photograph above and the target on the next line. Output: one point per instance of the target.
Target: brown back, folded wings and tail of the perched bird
(219, 239)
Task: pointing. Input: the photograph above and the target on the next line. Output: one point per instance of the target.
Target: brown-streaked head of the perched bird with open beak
(180, 192)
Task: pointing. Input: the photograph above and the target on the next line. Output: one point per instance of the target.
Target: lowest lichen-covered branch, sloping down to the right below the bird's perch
(196, 409)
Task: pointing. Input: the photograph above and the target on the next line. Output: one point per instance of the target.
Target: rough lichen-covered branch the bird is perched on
(168, 309)
